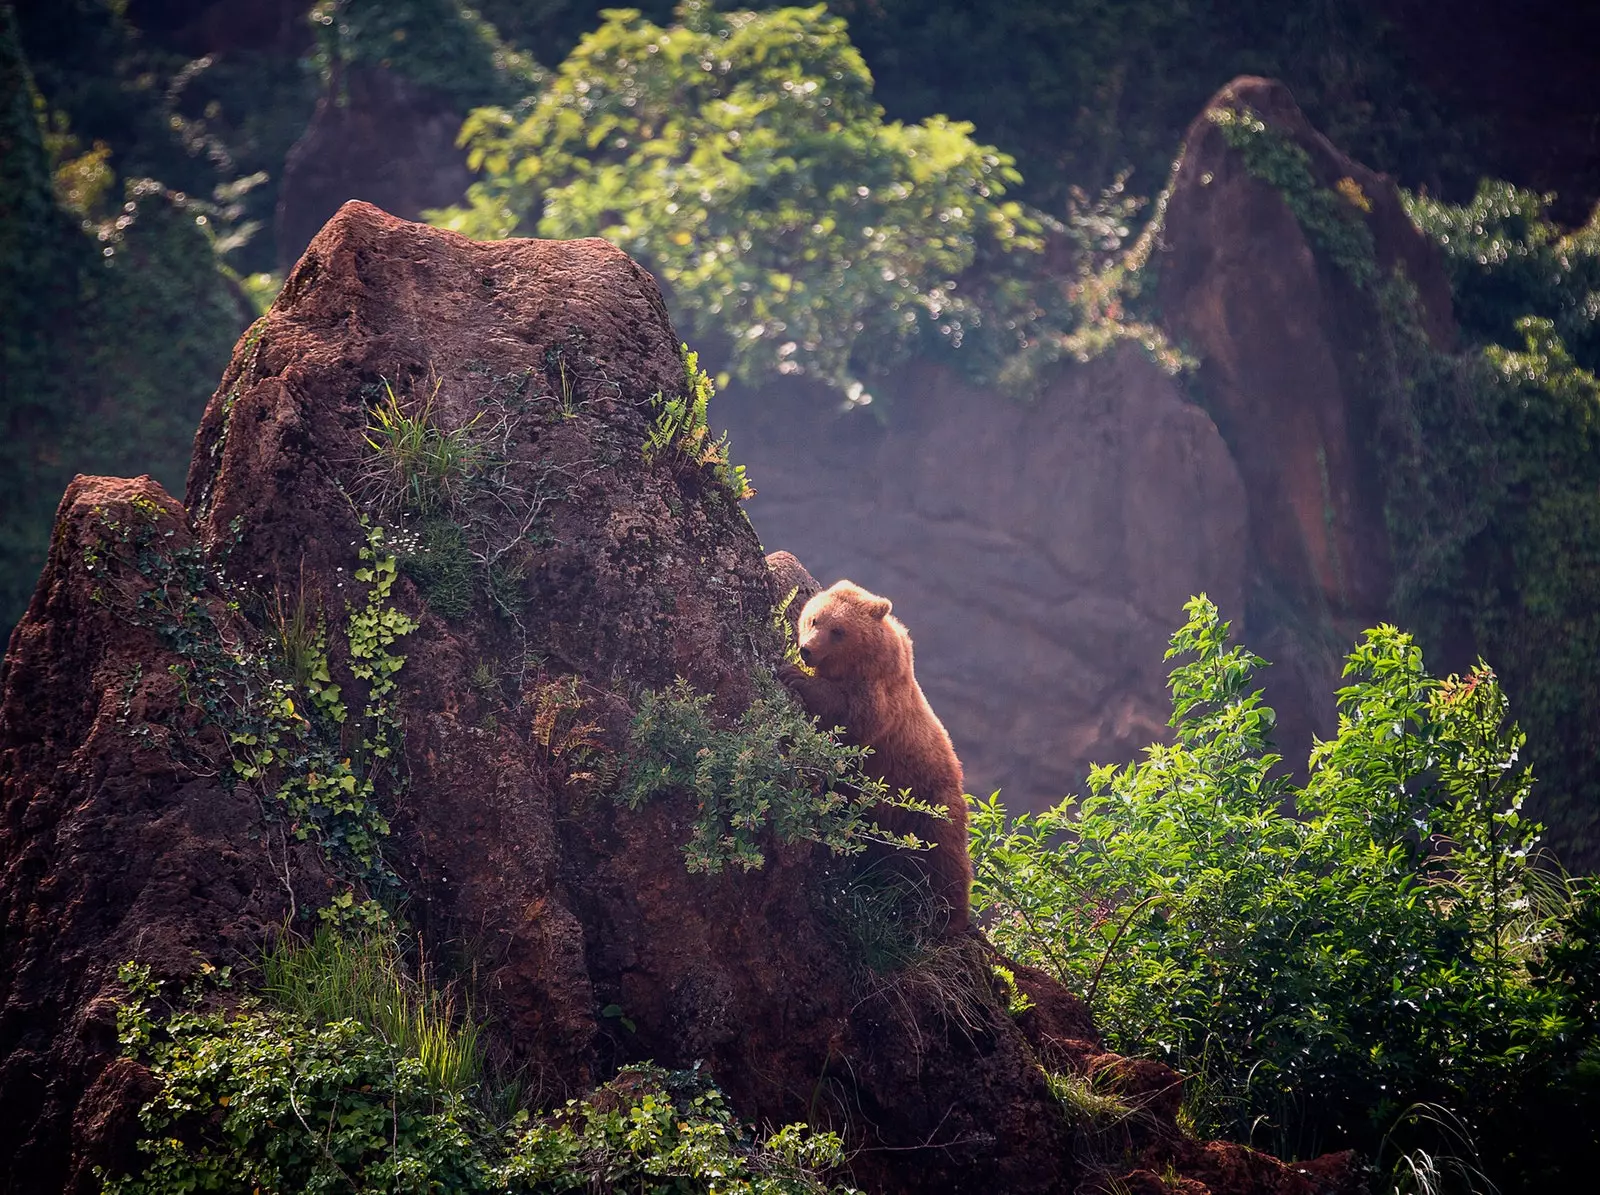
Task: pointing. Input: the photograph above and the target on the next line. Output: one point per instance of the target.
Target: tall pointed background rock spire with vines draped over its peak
(1271, 258)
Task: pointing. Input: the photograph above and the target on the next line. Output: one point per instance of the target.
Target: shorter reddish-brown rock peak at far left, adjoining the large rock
(118, 836)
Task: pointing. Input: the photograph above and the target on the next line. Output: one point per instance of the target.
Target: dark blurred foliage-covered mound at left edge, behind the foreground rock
(111, 342)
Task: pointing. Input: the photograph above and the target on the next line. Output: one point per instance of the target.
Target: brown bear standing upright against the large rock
(865, 684)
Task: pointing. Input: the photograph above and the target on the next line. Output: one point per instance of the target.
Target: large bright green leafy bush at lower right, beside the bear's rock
(1318, 956)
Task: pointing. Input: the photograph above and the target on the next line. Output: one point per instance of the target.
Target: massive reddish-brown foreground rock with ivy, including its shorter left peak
(546, 578)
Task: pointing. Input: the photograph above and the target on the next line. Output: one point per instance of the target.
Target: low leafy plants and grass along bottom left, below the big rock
(351, 1079)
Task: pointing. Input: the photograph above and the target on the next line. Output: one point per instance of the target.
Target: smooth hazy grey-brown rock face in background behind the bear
(1039, 554)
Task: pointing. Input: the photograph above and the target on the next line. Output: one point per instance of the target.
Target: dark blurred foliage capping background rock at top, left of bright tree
(439, 46)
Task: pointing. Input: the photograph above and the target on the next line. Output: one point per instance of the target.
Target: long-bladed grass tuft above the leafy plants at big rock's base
(362, 977)
